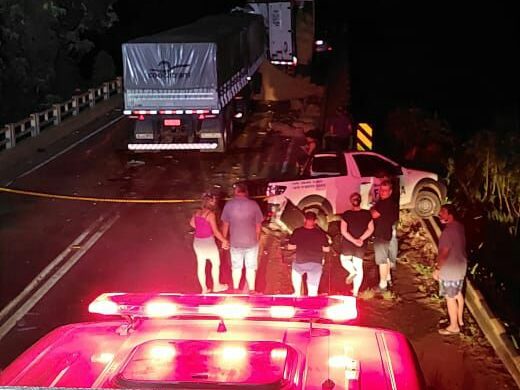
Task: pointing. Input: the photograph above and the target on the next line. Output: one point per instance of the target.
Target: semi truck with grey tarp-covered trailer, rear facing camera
(185, 88)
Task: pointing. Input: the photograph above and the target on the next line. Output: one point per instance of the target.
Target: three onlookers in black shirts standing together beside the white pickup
(357, 226)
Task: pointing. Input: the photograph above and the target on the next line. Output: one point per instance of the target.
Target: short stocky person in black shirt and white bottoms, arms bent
(310, 243)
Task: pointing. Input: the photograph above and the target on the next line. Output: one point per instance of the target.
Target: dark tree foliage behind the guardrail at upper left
(41, 45)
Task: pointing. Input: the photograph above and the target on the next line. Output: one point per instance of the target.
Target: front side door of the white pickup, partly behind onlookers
(371, 167)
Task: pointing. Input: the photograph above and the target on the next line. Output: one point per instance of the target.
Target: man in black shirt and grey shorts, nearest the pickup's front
(385, 214)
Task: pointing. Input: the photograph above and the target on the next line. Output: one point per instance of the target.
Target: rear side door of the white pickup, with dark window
(339, 182)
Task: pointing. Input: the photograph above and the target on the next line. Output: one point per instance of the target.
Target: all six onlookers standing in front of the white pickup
(241, 227)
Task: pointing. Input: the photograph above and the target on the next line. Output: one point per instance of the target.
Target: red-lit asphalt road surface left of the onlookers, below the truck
(97, 246)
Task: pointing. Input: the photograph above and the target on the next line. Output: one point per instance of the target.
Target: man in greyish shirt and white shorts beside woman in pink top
(243, 219)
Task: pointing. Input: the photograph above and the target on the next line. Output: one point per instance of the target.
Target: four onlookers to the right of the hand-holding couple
(357, 226)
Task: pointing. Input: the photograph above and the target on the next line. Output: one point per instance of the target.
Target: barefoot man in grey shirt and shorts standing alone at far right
(451, 268)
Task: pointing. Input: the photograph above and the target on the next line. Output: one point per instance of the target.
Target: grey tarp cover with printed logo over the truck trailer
(204, 54)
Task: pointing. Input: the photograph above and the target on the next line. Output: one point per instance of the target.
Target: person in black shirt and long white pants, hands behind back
(356, 227)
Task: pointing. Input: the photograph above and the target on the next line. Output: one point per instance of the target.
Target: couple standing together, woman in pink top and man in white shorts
(241, 226)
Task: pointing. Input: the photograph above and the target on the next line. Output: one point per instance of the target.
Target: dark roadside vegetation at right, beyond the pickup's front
(483, 177)
